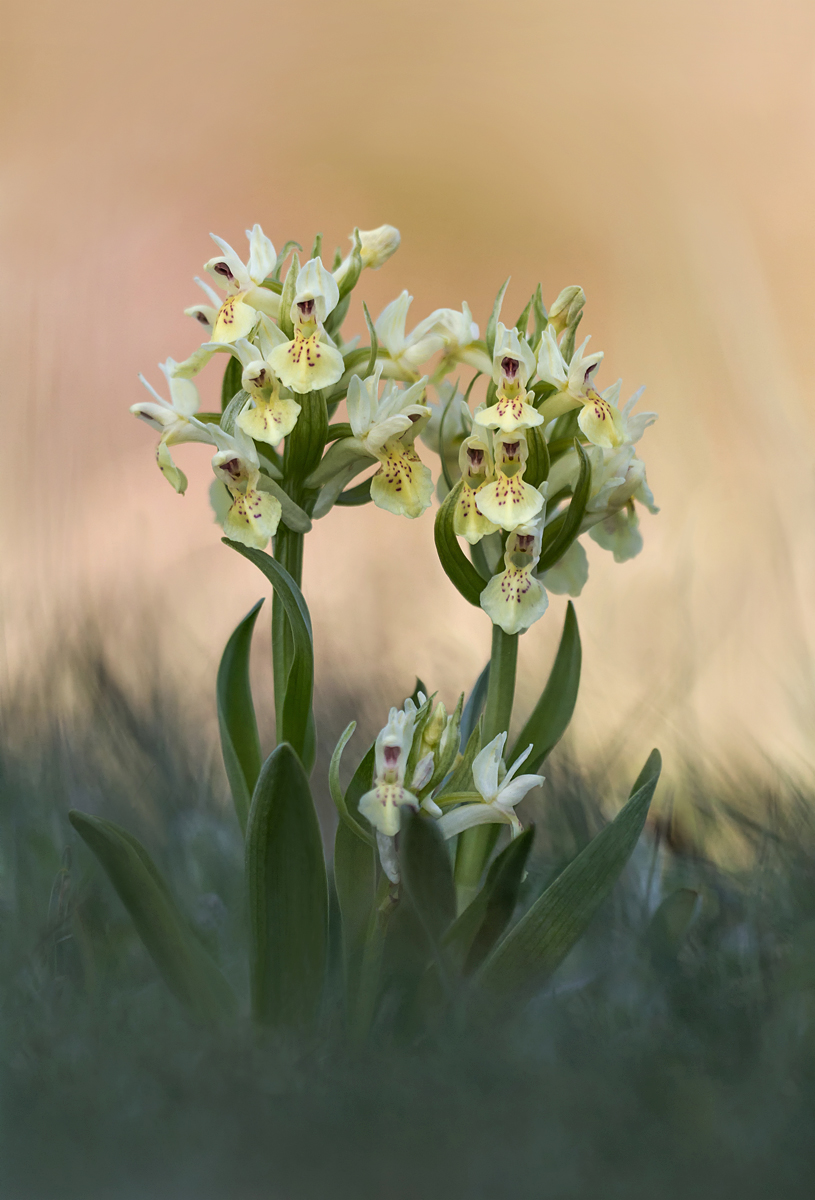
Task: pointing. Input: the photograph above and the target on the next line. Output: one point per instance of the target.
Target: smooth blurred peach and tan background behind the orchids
(661, 153)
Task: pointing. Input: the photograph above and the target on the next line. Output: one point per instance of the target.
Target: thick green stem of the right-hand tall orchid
(476, 845)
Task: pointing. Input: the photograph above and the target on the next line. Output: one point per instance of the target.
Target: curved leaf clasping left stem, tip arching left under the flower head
(301, 683)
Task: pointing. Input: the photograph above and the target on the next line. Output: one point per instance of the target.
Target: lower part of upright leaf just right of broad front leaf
(356, 881)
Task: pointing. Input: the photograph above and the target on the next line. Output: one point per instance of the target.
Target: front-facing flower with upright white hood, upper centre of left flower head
(310, 362)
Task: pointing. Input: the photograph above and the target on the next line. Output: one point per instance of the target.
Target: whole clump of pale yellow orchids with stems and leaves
(543, 460)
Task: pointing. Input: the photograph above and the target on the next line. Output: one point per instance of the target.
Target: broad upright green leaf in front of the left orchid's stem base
(287, 892)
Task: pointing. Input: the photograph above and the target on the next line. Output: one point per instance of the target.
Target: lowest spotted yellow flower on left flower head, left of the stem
(254, 515)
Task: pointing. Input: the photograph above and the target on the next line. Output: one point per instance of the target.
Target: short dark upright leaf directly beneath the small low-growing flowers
(428, 874)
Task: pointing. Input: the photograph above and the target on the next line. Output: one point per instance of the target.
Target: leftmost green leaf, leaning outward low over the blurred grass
(182, 961)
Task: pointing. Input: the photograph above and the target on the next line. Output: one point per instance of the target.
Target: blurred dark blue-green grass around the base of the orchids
(658, 1063)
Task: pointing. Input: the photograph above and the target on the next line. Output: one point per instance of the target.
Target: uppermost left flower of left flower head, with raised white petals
(238, 314)
